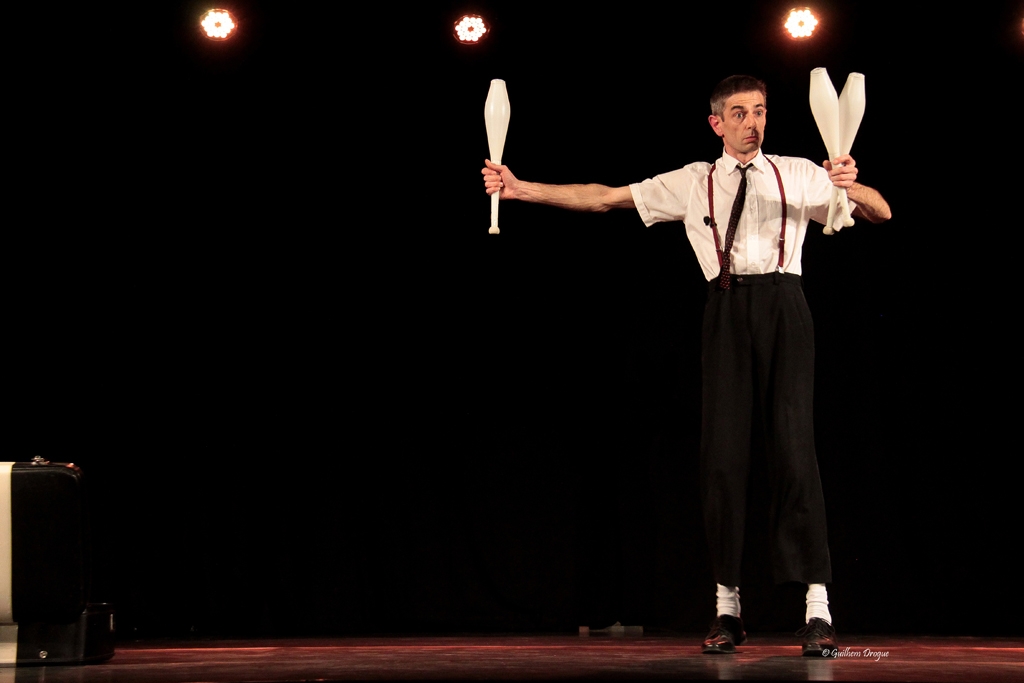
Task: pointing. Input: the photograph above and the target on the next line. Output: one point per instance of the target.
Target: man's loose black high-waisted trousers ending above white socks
(759, 347)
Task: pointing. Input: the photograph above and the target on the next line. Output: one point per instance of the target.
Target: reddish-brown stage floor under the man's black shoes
(773, 658)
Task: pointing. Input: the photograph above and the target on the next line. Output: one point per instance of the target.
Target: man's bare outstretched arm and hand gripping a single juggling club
(577, 198)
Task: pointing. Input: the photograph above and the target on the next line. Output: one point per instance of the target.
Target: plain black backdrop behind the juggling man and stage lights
(251, 293)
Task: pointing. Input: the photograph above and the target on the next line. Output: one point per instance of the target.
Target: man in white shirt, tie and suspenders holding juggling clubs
(758, 336)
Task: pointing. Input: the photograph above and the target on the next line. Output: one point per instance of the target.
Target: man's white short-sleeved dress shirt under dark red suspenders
(682, 196)
